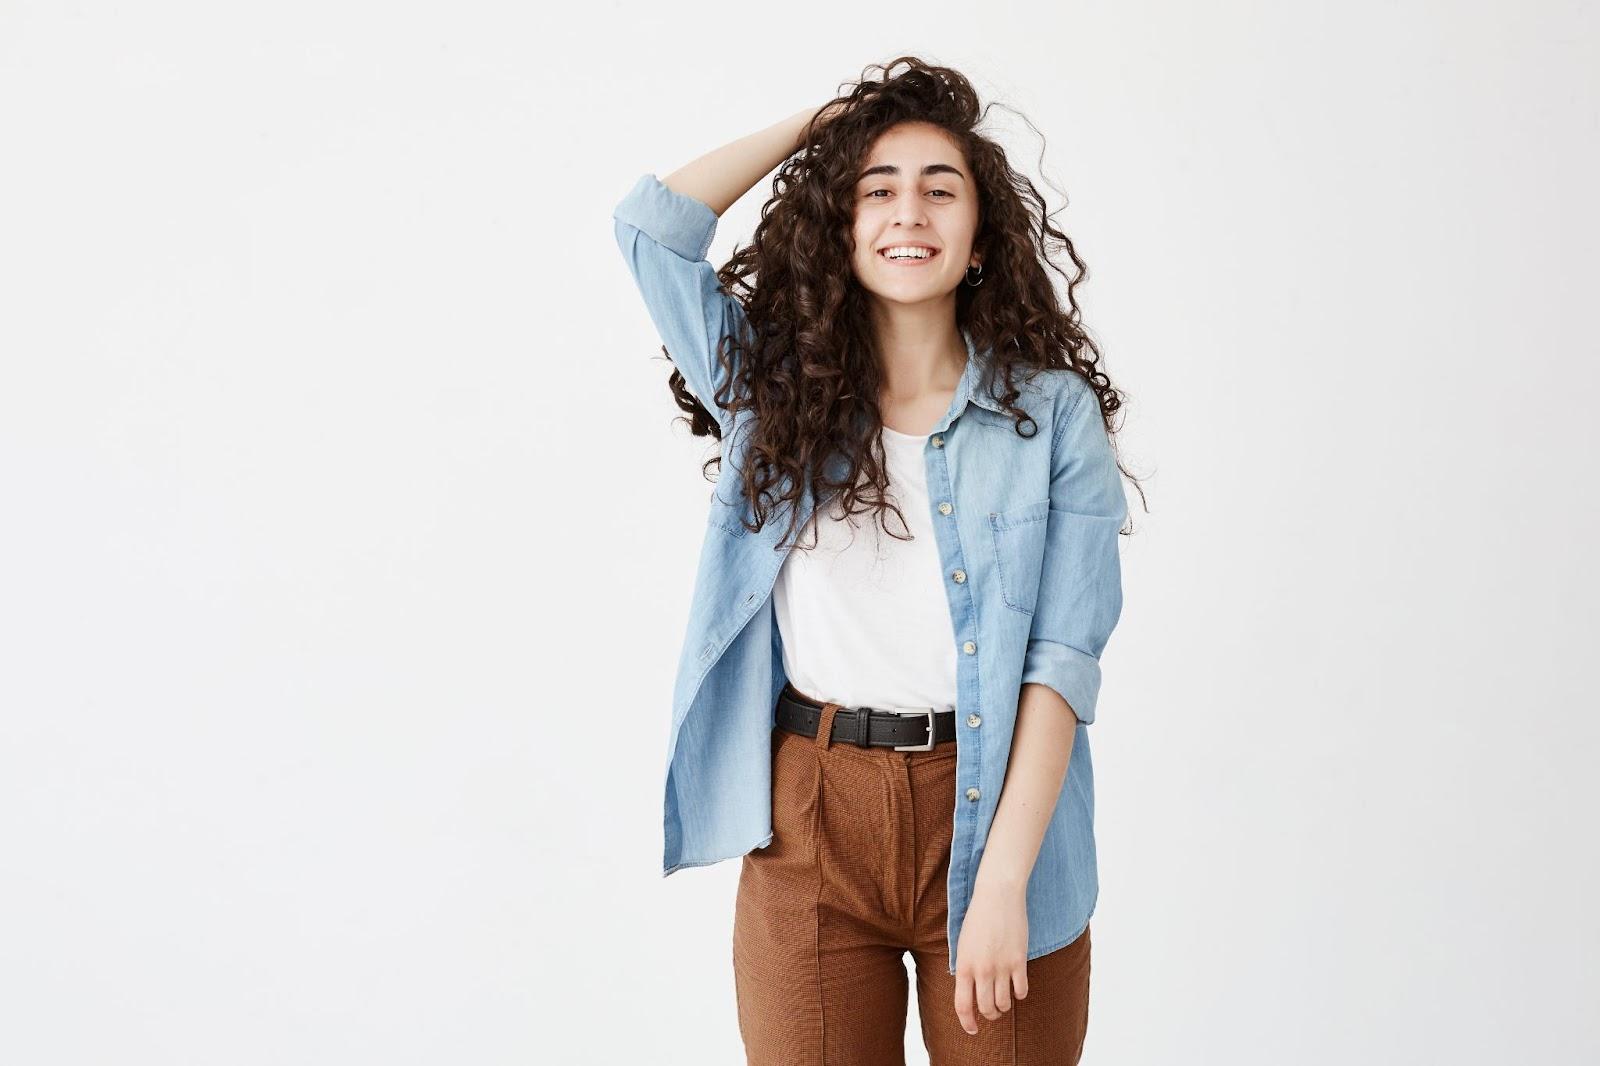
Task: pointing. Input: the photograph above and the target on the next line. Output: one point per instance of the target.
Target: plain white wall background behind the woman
(348, 539)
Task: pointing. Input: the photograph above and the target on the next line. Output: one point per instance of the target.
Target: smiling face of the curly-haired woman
(914, 190)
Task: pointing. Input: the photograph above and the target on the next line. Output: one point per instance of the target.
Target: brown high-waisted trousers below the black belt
(854, 880)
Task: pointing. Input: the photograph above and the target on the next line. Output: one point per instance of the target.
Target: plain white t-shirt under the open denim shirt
(865, 617)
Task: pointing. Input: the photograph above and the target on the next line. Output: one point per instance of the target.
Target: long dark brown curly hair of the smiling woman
(809, 366)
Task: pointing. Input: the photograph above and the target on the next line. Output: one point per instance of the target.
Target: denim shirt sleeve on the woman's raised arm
(665, 238)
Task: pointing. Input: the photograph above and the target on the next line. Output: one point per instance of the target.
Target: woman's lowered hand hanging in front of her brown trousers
(991, 956)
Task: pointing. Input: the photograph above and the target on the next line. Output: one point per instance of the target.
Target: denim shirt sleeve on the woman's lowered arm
(1081, 587)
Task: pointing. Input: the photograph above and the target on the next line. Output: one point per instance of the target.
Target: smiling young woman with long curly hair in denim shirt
(889, 724)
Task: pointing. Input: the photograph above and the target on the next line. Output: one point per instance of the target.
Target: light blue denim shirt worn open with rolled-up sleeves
(1030, 521)
